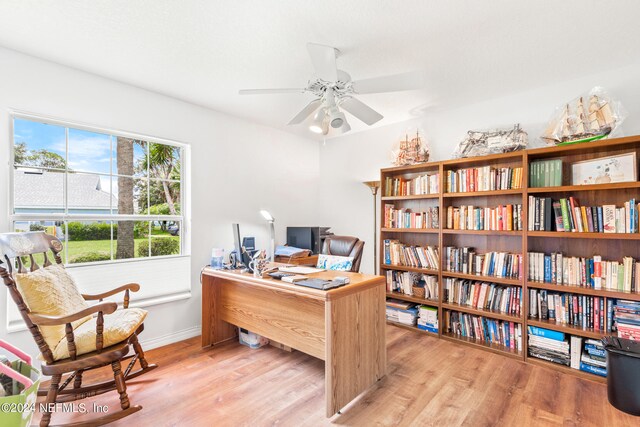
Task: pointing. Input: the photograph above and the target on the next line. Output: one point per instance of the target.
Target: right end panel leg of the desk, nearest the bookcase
(356, 355)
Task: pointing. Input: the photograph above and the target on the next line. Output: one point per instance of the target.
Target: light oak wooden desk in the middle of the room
(345, 326)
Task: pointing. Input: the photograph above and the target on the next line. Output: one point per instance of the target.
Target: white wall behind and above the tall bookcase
(347, 161)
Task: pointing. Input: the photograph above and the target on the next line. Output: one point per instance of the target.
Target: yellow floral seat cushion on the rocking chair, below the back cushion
(117, 327)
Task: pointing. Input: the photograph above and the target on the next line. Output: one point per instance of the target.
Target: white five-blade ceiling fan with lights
(335, 90)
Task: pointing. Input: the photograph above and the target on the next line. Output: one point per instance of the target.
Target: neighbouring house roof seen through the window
(45, 189)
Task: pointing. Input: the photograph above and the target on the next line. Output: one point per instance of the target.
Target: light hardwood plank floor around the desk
(430, 382)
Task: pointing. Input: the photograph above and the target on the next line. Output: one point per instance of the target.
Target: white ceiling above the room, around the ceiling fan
(203, 52)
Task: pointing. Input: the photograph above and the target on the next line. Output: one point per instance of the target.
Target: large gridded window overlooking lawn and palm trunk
(106, 196)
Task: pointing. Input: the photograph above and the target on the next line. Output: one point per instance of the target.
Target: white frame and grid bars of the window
(184, 192)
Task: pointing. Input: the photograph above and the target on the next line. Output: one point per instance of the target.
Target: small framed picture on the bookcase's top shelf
(605, 170)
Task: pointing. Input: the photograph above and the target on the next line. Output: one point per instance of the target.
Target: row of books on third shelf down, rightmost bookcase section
(585, 272)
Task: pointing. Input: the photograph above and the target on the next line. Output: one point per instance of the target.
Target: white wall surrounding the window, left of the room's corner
(237, 168)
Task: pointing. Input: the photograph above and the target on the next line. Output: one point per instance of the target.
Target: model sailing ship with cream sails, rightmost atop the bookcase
(578, 126)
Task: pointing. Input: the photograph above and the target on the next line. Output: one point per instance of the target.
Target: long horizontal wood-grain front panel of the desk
(290, 319)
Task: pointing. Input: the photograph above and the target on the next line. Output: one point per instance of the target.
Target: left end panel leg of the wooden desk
(214, 330)
